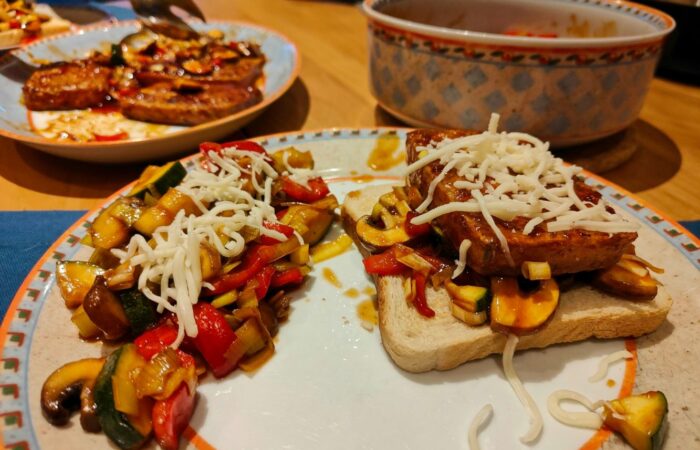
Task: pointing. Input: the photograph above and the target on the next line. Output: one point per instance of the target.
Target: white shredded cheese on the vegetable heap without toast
(171, 275)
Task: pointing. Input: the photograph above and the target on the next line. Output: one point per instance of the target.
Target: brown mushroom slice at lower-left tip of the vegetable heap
(68, 389)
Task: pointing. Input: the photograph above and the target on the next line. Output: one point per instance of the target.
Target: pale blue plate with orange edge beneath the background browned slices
(280, 71)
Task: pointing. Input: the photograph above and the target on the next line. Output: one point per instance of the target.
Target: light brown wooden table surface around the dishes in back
(333, 91)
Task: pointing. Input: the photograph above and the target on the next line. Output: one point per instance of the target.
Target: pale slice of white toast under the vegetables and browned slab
(420, 344)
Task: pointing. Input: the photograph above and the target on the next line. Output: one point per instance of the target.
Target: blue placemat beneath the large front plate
(27, 234)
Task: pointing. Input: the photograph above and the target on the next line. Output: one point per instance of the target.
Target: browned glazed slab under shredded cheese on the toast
(566, 251)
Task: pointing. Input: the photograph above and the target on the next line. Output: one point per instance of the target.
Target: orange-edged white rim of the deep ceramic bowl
(368, 7)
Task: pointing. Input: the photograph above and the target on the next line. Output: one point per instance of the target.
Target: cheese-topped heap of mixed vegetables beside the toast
(190, 274)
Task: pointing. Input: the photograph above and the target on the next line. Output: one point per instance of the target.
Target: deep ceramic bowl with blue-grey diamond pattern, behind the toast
(451, 63)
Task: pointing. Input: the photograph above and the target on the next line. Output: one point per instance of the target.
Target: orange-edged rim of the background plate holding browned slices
(130, 143)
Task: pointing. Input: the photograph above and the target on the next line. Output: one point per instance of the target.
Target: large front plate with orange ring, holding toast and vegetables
(330, 383)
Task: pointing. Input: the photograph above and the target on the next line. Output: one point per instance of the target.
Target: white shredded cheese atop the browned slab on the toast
(509, 175)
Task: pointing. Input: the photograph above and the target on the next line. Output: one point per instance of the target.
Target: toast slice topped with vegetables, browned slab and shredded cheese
(494, 244)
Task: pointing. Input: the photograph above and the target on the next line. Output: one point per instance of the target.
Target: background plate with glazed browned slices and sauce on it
(158, 98)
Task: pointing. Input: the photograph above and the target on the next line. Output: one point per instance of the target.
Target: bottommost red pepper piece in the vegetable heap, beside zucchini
(171, 416)
